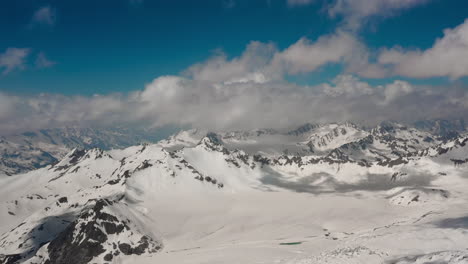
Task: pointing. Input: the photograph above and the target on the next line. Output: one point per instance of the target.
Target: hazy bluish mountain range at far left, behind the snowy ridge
(35, 149)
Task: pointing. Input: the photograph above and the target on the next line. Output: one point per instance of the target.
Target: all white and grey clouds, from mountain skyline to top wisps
(254, 89)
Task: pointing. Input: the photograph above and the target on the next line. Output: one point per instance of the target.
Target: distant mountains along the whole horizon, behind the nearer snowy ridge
(32, 150)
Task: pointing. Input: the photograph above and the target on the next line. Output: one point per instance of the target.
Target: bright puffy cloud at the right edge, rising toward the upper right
(447, 57)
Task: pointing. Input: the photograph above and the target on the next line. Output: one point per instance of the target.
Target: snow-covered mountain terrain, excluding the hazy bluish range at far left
(320, 194)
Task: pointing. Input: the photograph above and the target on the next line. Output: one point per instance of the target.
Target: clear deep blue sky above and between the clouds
(117, 46)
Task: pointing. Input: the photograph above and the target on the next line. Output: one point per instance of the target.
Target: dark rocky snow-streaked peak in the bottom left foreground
(98, 233)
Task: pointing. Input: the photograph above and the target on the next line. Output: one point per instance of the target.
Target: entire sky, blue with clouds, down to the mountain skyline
(101, 62)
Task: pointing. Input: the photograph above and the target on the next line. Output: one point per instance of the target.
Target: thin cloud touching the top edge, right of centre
(356, 12)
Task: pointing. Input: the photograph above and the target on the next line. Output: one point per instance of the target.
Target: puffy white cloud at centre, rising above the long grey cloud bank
(263, 61)
